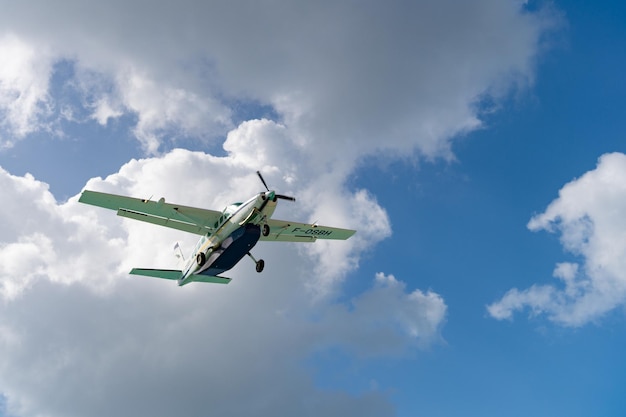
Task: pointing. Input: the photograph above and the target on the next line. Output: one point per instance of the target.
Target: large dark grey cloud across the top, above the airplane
(348, 78)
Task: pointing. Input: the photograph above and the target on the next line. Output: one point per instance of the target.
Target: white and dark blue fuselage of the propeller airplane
(236, 232)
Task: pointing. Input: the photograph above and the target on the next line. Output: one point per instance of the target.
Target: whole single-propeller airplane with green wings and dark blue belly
(226, 236)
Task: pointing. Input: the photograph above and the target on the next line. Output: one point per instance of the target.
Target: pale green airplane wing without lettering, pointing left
(188, 219)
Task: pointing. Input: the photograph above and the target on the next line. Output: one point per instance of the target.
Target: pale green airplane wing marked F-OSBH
(284, 231)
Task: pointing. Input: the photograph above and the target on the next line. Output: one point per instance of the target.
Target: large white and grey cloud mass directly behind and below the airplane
(72, 317)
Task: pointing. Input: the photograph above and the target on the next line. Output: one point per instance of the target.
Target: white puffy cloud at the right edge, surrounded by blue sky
(589, 215)
